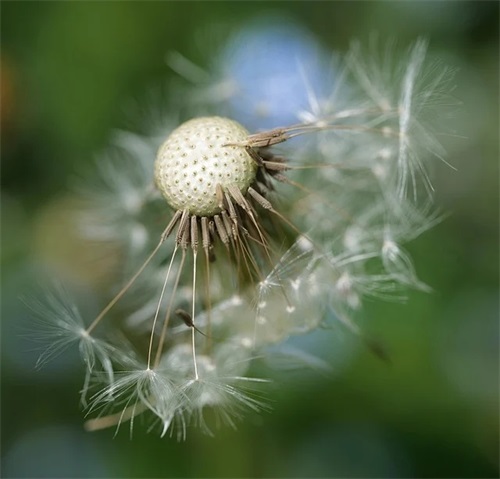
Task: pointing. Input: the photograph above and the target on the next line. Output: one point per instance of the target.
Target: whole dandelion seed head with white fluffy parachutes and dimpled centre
(266, 234)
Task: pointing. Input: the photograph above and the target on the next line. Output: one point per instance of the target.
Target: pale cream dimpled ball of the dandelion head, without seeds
(193, 160)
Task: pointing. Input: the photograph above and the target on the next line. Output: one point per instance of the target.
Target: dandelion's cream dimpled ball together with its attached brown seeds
(211, 171)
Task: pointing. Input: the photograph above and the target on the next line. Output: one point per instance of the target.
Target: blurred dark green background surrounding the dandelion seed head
(68, 69)
